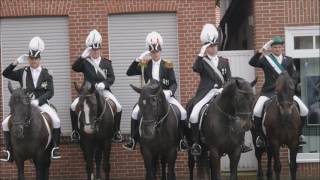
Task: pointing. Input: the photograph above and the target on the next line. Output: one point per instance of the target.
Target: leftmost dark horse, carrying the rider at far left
(29, 134)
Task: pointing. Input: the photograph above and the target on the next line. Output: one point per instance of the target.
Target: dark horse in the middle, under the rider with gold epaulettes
(158, 131)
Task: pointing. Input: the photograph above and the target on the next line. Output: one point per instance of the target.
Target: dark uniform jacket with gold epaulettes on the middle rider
(166, 74)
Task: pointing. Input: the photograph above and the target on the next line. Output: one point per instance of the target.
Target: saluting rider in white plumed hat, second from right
(214, 71)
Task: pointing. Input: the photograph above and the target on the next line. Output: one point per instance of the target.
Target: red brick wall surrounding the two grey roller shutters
(84, 15)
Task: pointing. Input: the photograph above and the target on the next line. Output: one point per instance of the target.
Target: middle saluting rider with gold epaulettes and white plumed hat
(161, 70)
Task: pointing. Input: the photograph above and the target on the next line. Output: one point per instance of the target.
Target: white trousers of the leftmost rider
(44, 108)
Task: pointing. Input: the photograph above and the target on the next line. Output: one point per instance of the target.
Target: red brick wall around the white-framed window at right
(270, 19)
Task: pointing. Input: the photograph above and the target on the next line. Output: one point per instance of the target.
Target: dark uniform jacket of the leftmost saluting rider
(44, 89)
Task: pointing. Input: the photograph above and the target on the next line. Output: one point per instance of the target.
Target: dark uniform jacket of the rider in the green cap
(270, 75)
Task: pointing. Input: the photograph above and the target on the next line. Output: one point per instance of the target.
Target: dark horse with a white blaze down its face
(96, 129)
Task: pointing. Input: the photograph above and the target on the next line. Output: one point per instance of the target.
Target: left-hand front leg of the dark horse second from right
(215, 164)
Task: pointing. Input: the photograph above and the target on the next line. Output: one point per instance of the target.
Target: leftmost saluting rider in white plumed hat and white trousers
(38, 83)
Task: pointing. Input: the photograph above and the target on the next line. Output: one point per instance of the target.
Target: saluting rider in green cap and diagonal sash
(273, 64)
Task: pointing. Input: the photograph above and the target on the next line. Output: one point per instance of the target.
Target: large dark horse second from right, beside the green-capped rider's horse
(223, 128)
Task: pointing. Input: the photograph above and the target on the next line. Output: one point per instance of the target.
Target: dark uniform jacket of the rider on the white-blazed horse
(90, 74)
